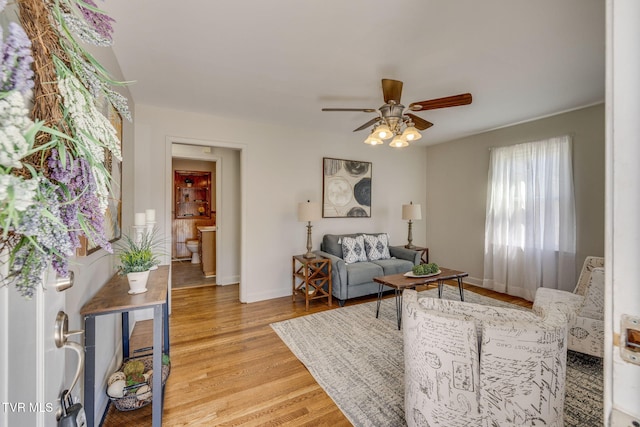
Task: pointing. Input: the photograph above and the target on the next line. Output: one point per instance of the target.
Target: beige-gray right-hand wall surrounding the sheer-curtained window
(457, 187)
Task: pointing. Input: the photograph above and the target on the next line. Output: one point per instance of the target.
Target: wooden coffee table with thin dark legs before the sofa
(400, 282)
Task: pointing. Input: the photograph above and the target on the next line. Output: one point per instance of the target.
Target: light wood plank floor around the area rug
(230, 368)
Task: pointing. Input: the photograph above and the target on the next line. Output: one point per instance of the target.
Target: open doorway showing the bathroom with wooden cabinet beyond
(196, 213)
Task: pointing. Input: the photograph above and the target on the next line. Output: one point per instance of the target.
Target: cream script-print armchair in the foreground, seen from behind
(473, 365)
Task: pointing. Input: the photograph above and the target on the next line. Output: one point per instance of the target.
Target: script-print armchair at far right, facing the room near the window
(584, 307)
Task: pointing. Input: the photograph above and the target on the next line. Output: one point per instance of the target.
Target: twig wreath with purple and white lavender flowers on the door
(54, 185)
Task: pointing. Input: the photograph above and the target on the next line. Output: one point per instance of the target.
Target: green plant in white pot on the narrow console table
(136, 259)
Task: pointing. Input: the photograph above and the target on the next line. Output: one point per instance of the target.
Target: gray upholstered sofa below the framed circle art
(351, 280)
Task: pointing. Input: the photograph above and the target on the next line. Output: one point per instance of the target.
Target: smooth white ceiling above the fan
(281, 61)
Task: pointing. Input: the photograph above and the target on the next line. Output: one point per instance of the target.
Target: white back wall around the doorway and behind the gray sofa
(282, 166)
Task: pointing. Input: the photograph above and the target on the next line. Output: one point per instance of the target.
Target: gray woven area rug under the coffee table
(358, 360)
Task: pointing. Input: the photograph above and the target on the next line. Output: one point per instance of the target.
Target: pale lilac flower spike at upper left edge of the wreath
(15, 68)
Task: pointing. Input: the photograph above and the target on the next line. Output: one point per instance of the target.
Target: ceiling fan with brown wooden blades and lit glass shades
(393, 116)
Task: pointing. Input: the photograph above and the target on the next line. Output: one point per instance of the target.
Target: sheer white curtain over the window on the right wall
(530, 227)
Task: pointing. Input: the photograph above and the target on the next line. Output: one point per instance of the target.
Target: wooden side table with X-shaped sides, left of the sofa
(312, 274)
